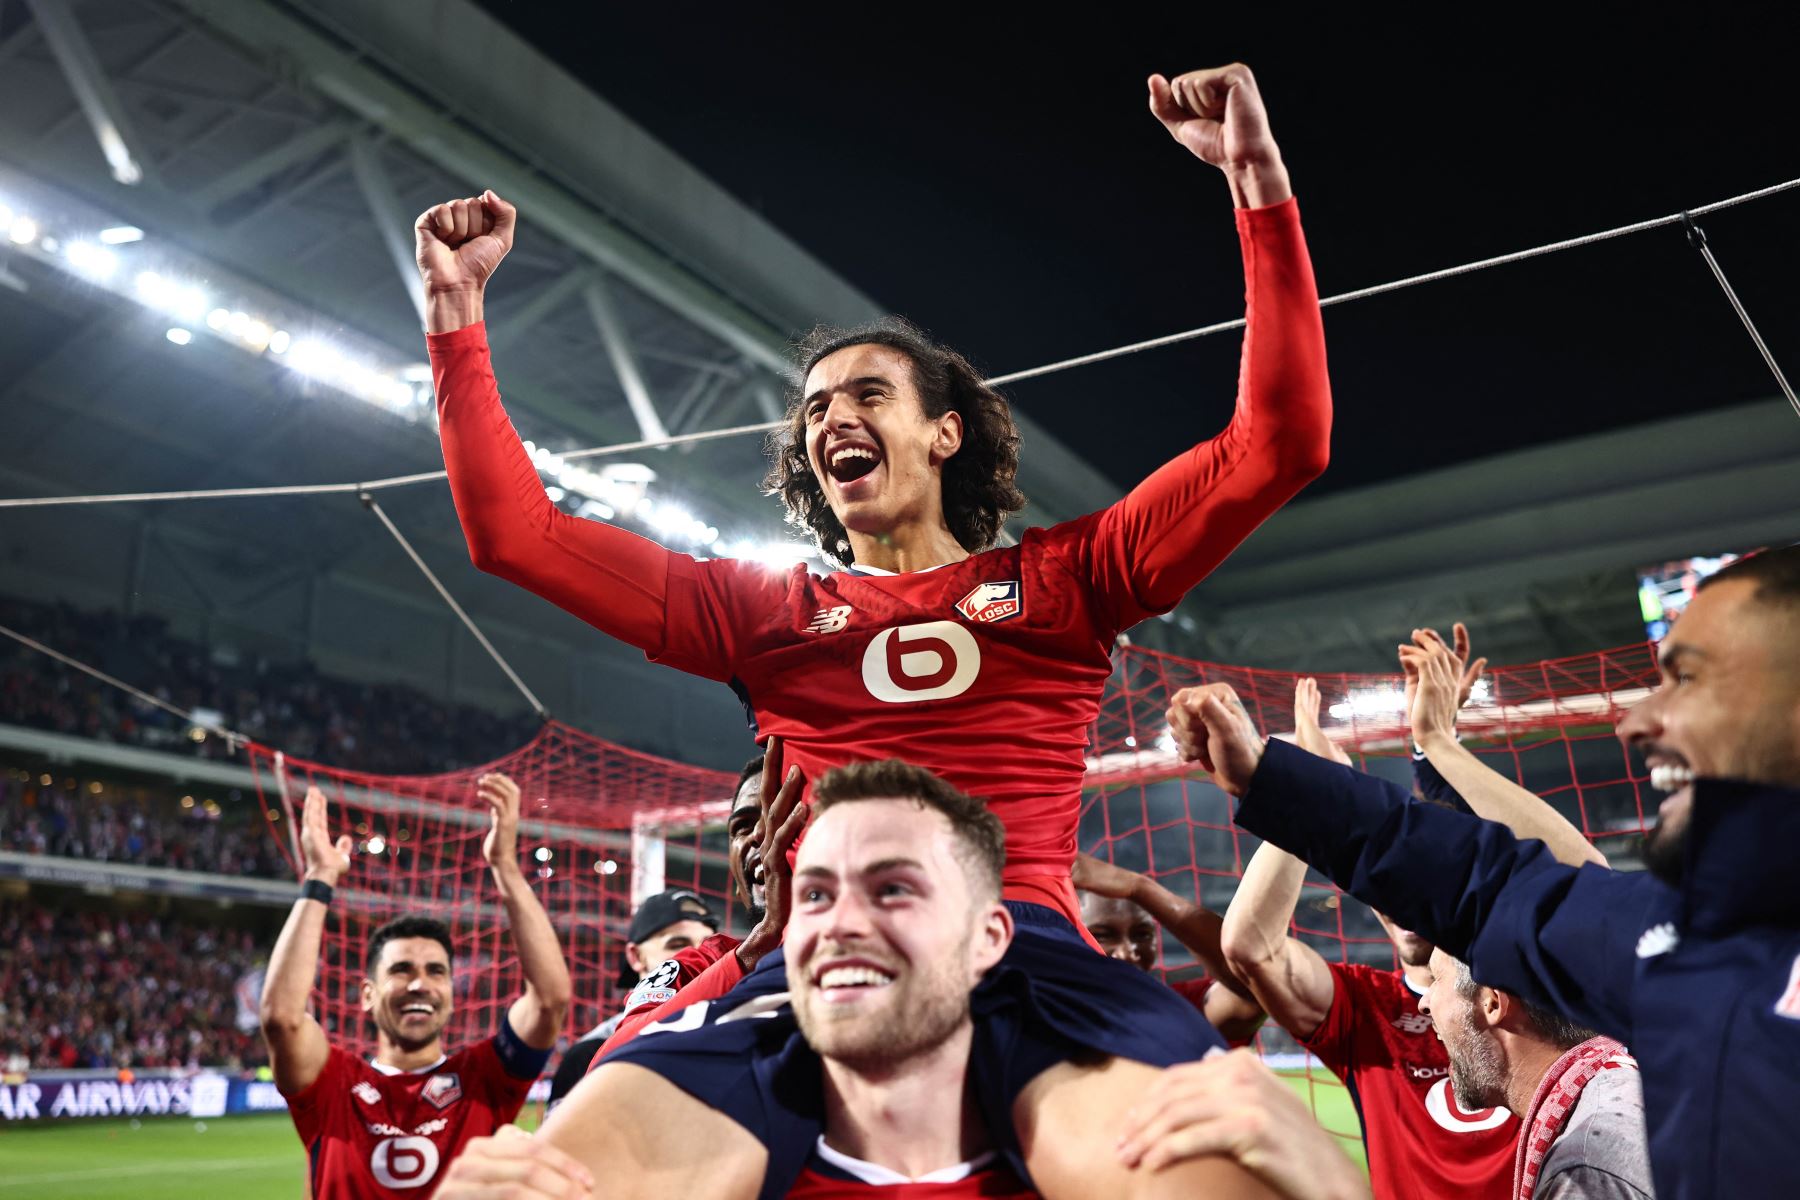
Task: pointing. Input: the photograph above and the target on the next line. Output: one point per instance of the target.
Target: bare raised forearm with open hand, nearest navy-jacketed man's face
(1437, 681)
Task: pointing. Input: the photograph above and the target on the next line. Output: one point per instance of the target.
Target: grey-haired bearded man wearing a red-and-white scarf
(1578, 1093)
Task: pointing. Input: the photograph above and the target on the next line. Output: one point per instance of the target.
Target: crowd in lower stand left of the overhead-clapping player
(82, 990)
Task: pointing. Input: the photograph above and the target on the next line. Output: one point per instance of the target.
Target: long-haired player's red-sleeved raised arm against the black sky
(1187, 517)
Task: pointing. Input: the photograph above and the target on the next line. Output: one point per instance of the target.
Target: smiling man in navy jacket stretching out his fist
(1695, 965)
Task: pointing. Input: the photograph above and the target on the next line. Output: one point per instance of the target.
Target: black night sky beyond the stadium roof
(998, 179)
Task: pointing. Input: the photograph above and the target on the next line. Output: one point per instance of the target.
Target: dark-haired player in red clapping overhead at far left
(390, 1127)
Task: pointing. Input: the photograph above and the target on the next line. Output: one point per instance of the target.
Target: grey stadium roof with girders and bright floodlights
(280, 154)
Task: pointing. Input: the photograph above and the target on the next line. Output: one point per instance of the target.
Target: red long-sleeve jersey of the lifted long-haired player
(987, 672)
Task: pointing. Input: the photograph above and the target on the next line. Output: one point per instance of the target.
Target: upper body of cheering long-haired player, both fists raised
(985, 665)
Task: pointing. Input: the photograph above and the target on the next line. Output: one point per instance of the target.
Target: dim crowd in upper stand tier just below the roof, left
(373, 728)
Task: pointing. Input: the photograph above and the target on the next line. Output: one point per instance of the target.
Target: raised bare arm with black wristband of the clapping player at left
(298, 1044)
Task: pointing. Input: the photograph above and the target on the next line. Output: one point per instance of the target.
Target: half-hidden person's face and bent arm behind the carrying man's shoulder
(1117, 909)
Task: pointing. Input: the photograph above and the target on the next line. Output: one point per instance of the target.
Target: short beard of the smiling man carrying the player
(917, 1016)
